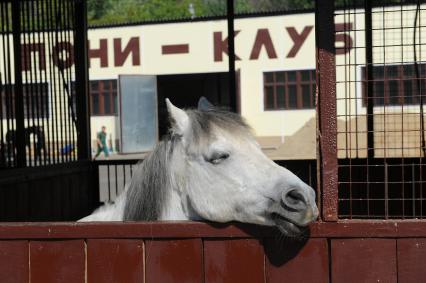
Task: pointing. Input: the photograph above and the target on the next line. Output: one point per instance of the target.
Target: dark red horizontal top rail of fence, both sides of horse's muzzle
(188, 229)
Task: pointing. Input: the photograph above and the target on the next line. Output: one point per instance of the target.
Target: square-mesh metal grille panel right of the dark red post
(380, 89)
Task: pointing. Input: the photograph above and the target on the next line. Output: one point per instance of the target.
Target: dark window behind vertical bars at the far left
(36, 101)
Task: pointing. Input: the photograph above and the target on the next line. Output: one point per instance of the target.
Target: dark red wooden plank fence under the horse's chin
(379, 251)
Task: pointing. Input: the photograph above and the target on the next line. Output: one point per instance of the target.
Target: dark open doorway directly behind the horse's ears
(184, 91)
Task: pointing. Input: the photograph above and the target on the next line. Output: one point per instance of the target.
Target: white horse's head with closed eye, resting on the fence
(218, 172)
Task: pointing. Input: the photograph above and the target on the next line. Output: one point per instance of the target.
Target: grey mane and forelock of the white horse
(151, 180)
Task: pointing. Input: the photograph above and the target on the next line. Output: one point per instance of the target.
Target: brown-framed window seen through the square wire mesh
(395, 85)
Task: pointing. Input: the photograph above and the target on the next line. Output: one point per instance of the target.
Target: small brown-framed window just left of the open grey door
(103, 97)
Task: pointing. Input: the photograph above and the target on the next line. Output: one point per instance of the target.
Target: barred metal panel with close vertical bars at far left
(38, 119)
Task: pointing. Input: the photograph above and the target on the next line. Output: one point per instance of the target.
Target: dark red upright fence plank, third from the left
(115, 261)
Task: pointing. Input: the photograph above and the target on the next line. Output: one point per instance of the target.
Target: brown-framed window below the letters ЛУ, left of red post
(289, 90)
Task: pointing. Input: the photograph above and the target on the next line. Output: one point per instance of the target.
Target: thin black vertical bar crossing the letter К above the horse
(231, 53)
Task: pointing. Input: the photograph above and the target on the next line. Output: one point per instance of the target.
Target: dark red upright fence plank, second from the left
(57, 261)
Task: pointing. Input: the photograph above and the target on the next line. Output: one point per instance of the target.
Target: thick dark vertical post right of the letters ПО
(81, 79)
